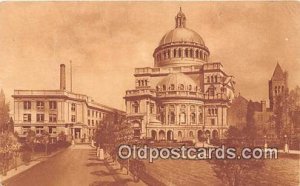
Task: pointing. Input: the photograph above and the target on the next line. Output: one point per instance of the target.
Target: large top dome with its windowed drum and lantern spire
(181, 46)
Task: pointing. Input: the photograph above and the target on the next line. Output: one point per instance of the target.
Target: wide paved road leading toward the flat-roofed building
(76, 166)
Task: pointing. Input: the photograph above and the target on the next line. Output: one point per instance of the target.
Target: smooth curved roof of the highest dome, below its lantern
(181, 34)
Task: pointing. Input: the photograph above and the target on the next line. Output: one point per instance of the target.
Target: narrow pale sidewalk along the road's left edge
(11, 173)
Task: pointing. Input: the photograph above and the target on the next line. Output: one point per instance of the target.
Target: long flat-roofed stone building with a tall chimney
(56, 111)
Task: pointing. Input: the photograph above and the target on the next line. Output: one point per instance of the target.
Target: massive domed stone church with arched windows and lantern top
(184, 96)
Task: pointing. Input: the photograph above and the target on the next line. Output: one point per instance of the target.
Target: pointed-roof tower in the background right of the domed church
(277, 85)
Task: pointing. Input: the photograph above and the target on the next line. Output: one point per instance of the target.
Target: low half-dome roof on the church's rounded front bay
(176, 80)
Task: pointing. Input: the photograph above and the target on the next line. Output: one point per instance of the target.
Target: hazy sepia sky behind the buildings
(107, 40)
